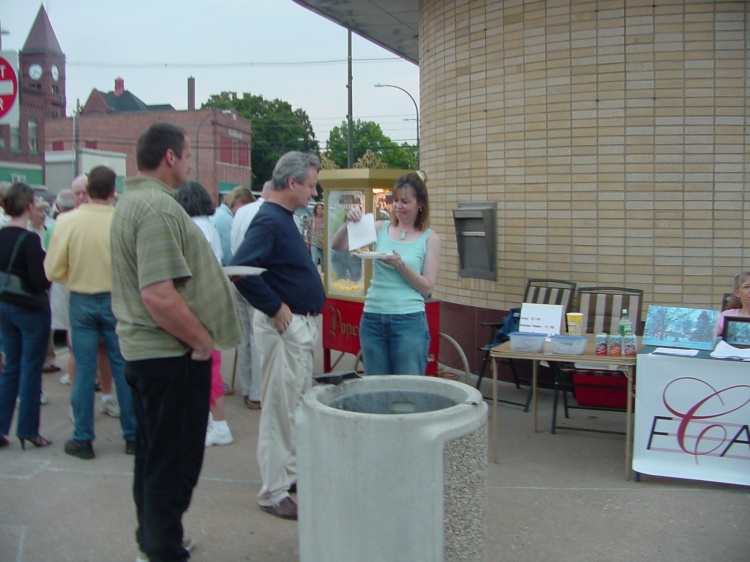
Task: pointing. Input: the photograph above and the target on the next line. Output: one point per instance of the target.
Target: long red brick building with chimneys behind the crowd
(113, 121)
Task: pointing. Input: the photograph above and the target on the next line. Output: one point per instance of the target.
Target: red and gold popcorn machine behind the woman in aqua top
(347, 277)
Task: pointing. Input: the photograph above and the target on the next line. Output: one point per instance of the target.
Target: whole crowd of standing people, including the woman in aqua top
(136, 281)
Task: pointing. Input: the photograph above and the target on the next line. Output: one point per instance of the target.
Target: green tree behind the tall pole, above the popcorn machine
(367, 135)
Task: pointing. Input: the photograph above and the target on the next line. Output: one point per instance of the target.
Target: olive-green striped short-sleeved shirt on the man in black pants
(154, 240)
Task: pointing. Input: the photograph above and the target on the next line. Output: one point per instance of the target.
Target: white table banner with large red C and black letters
(692, 419)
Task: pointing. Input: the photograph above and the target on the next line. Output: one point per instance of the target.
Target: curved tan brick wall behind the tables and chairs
(613, 135)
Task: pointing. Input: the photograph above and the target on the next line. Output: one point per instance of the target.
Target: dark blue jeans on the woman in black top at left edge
(25, 335)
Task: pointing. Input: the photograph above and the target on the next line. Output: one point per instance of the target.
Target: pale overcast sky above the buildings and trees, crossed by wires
(271, 48)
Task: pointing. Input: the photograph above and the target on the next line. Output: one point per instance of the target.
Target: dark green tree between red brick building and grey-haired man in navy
(277, 128)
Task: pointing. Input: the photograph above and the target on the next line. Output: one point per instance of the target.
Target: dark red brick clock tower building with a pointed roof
(41, 76)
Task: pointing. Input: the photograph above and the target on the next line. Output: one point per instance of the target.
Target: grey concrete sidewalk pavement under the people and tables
(551, 497)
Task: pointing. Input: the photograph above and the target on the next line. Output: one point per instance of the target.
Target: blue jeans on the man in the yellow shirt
(91, 319)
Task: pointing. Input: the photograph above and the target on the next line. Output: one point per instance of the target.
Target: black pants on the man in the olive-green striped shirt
(170, 399)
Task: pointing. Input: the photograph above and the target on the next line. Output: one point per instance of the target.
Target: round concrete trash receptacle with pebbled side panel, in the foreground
(392, 469)
